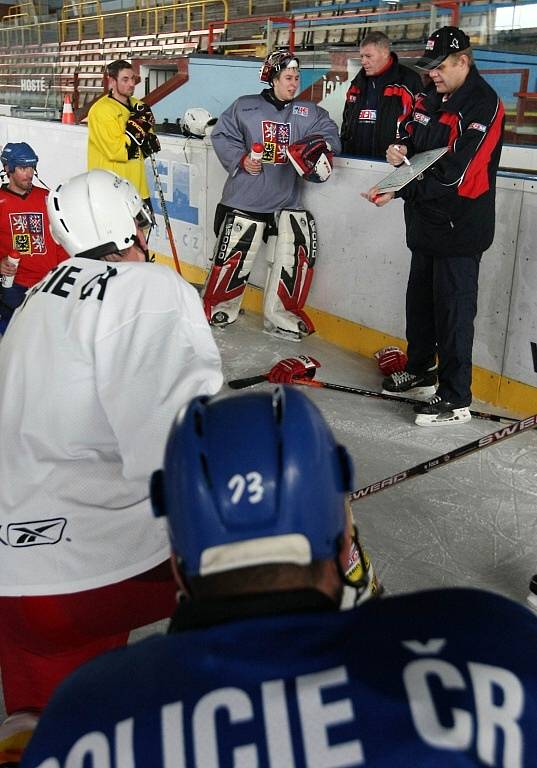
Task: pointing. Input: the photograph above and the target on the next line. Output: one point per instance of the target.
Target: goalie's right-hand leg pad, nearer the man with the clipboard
(290, 272)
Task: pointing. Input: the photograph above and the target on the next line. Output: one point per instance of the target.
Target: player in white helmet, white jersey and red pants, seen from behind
(97, 361)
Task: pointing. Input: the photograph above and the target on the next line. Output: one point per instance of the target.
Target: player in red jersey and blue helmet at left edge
(27, 250)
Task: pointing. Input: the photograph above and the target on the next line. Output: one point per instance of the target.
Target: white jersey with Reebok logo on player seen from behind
(94, 367)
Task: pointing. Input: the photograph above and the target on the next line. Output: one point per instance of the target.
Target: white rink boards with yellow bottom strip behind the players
(363, 262)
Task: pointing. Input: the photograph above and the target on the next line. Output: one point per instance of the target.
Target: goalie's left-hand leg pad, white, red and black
(238, 243)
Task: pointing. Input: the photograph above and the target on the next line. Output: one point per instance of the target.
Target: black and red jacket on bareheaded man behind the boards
(375, 107)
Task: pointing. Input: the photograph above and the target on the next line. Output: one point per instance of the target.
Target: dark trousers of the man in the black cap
(441, 304)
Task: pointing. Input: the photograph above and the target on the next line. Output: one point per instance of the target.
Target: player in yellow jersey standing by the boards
(120, 129)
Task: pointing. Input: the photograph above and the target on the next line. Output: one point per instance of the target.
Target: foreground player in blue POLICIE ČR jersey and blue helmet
(259, 667)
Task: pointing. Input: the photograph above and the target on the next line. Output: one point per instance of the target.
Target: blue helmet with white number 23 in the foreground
(250, 480)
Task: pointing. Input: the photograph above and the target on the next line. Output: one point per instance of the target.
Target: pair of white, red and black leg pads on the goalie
(291, 259)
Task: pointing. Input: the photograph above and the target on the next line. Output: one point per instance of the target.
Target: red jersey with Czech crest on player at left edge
(24, 227)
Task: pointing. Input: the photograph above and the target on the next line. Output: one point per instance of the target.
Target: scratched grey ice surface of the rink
(472, 522)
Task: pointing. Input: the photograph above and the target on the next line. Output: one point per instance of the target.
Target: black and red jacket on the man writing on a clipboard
(451, 208)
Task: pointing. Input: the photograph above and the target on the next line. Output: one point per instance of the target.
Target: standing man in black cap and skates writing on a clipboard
(449, 217)
